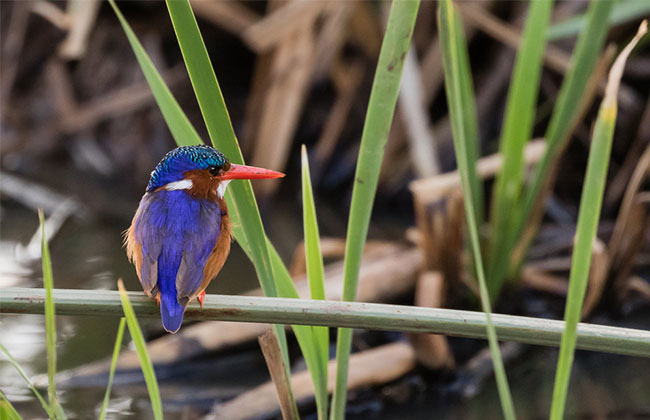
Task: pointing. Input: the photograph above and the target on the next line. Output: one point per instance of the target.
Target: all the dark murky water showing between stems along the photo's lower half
(88, 255)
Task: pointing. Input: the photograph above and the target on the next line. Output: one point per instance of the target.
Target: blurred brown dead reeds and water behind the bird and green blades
(81, 133)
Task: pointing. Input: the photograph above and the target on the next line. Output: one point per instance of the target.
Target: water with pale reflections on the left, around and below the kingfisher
(90, 256)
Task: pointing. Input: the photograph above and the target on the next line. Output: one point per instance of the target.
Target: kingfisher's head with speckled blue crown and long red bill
(202, 171)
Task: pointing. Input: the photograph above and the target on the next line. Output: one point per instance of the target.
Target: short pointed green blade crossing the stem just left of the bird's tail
(141, 349)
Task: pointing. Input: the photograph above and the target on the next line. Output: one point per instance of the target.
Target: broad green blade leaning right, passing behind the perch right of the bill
(379, 116)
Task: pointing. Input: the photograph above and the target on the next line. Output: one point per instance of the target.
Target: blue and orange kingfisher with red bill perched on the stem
(180, 237)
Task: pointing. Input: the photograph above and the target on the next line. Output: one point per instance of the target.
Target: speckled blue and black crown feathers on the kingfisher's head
(182, 159)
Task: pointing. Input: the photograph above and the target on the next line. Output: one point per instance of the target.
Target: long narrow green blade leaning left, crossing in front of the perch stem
(448, 24)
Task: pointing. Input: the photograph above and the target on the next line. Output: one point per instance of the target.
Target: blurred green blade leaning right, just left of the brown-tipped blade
(565, 111)
